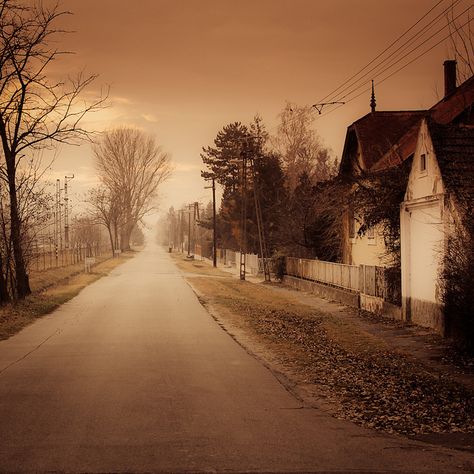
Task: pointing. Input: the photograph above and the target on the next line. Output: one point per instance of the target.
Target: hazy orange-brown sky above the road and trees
(183, 69)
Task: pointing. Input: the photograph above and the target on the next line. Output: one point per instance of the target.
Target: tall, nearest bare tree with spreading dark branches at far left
(35, 112)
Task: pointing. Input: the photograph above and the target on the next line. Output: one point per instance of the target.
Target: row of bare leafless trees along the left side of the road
(38, 112)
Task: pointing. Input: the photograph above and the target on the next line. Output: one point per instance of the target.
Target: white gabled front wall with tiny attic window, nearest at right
(423, 223)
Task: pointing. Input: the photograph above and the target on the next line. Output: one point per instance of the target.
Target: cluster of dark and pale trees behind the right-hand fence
(289, 175)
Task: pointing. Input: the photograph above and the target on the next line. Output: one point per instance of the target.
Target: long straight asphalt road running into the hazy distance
(134, 375)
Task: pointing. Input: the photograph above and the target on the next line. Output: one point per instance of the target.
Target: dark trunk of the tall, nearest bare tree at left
(22, 284)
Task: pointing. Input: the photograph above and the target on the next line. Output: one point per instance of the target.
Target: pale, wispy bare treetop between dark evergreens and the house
(301, 148)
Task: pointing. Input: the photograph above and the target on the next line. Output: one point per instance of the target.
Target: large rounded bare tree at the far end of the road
(131, 167)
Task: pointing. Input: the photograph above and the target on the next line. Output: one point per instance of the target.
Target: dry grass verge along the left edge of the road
(50, 289)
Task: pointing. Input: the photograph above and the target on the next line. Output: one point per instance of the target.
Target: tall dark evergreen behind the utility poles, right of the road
(224, 163)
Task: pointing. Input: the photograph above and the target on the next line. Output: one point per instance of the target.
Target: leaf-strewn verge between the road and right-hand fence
(329, 361)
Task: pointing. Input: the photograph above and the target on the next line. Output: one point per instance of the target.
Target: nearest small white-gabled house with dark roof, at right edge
(440, 190)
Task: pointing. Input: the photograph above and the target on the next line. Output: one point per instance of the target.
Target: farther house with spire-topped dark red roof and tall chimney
(384, 139)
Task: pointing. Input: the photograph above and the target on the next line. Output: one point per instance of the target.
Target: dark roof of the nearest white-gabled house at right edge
(454, 148)
